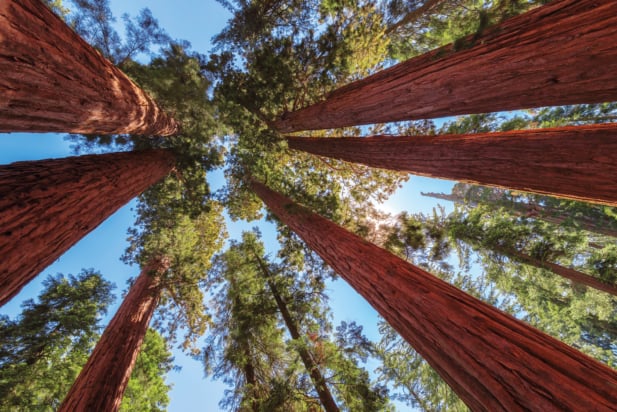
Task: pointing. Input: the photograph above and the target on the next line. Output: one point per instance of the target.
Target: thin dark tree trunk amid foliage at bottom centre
(321, 386)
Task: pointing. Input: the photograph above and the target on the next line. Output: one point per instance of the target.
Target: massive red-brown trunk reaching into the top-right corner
(561, 53)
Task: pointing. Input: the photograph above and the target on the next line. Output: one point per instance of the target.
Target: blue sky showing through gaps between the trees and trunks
(196, 21)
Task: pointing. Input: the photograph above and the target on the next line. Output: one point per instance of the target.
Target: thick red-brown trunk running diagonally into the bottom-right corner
(491, 360)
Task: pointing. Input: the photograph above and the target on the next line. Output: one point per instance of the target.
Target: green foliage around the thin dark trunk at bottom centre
(254, 299)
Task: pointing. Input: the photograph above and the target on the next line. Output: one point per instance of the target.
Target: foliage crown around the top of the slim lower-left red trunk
(189, 243)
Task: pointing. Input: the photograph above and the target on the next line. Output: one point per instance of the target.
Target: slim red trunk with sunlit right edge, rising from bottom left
(102, 381)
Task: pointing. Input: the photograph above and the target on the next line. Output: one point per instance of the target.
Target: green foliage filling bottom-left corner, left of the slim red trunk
(42, 351)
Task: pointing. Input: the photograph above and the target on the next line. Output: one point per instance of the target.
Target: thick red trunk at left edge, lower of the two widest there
(47, 206)
